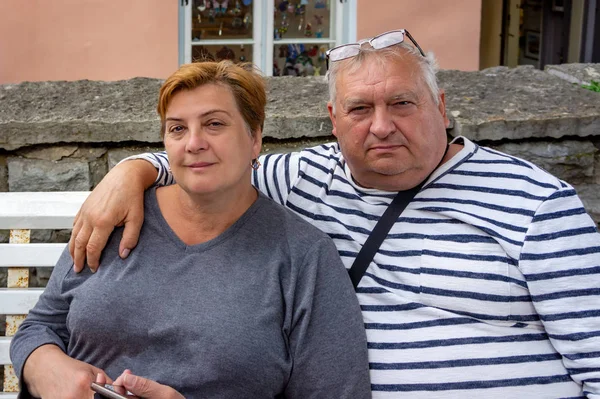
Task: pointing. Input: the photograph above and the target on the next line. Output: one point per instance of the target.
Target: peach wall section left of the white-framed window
(87, 39)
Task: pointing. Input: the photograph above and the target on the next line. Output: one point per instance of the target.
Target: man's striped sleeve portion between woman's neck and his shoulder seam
(277, 174)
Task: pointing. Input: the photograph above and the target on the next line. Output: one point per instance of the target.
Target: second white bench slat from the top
(30, 255)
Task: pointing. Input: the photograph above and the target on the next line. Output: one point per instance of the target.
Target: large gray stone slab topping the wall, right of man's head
(518, 103)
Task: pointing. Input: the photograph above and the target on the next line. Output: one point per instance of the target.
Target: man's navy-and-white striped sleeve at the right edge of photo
(560, 260)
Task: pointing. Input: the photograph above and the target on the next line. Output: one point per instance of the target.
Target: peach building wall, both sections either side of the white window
(43, 40)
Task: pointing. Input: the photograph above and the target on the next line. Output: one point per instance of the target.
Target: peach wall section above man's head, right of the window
(450, 29)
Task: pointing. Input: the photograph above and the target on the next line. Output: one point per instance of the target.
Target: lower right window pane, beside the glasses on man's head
(299, 59)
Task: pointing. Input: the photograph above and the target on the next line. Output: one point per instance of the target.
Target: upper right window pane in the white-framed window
(301, 19)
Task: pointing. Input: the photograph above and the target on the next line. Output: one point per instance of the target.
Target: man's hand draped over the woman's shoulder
(118, 200)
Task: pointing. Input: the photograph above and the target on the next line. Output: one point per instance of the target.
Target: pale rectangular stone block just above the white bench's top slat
(42, 175)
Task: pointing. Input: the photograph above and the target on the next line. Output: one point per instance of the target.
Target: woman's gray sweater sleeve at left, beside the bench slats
(46, 323)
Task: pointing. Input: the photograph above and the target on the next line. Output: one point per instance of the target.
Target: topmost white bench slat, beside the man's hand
(40, 210)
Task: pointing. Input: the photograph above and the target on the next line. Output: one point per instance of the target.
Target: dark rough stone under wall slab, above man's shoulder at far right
(569, 160)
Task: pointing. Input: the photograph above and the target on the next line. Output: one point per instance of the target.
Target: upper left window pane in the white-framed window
(221, 19)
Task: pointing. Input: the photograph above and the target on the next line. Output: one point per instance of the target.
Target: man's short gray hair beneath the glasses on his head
(428, 65)
